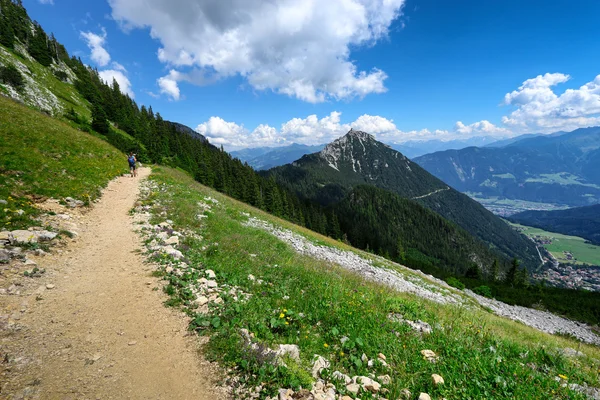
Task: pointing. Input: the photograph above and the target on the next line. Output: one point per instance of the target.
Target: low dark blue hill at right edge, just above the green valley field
(579, 221)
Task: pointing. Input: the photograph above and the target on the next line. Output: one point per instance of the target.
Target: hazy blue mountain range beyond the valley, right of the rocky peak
(562, 168)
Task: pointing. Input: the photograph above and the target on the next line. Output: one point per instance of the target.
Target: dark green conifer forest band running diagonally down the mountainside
(366, 217)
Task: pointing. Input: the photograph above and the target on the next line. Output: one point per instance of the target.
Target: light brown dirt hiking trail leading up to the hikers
(96, 329)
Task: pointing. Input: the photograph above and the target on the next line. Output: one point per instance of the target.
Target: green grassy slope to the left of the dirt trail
(43, 157)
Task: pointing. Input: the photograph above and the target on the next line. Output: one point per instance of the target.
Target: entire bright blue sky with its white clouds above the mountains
(499, 67)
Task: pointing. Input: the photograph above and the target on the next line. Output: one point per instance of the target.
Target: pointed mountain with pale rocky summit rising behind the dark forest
(332, 175)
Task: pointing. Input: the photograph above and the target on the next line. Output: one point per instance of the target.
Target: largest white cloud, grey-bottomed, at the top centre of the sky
(298, 48)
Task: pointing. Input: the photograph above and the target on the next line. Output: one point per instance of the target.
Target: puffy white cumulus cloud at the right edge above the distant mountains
(538, 108)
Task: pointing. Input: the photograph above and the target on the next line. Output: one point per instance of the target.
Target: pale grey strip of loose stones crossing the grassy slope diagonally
(438, 292)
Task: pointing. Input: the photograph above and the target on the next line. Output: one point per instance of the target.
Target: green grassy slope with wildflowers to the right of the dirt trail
(314, 304)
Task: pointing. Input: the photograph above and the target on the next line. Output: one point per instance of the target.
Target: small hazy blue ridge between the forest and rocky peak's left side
(261, 158)
